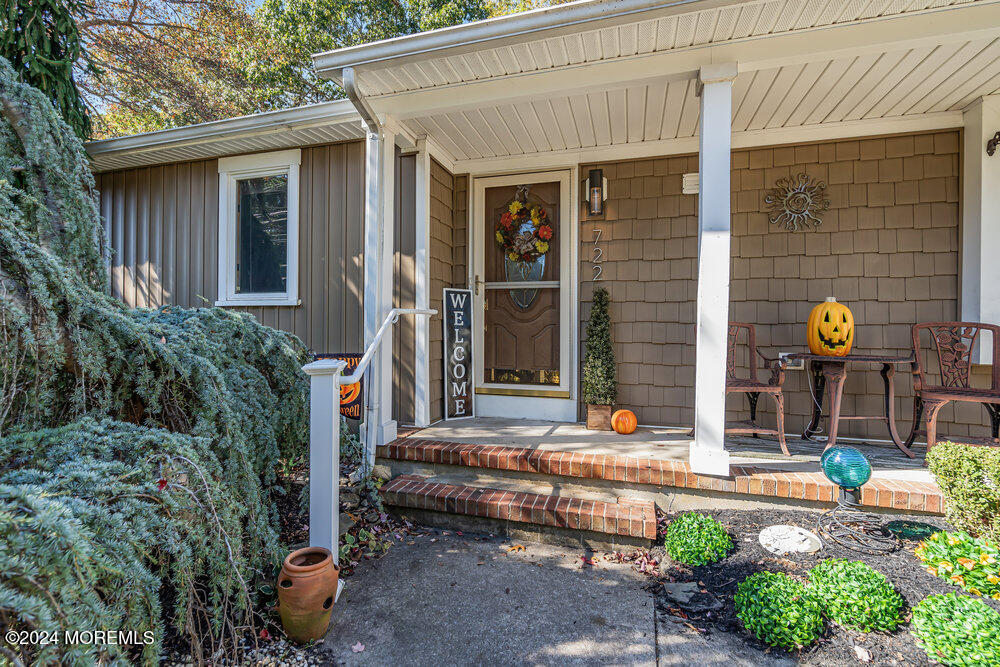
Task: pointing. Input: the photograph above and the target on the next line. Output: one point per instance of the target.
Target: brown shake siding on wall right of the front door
(888, 248)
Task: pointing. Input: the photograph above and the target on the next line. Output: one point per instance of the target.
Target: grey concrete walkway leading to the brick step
(452, 600)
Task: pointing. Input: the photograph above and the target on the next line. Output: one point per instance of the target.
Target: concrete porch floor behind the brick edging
(670, 444)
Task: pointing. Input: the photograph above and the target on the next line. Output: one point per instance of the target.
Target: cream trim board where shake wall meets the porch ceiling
(946, 120)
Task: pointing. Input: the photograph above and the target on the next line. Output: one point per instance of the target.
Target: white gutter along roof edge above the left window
(326, 113)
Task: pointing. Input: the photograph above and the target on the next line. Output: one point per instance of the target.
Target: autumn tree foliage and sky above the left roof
(166, 63)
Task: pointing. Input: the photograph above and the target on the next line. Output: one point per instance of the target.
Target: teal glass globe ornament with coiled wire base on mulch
(846, 524)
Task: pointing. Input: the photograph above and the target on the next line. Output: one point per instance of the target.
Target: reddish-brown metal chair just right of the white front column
(753, 387)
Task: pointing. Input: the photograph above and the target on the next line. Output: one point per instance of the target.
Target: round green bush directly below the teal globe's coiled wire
(856, 596)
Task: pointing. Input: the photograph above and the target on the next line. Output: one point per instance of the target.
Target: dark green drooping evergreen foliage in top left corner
(41, 40)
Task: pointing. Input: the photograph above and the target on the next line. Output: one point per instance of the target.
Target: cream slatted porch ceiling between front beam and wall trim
(927, 80)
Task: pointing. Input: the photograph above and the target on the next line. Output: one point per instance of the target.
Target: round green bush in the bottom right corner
(957, 630)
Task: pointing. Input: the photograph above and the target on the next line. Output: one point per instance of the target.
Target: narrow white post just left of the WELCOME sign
(421, 325)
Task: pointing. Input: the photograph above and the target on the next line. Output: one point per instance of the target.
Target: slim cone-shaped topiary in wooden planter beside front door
(600, 386)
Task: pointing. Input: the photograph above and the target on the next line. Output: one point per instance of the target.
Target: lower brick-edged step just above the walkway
(629, 518)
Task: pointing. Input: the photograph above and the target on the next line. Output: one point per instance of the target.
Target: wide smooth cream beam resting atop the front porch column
(948, 25)
